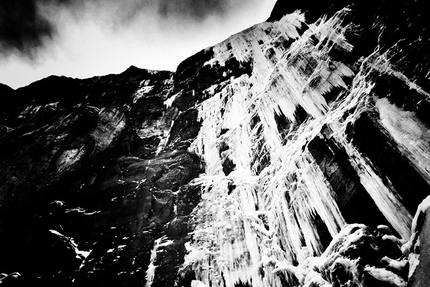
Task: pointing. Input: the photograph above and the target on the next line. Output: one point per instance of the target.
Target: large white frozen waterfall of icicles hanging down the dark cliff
(268, 211)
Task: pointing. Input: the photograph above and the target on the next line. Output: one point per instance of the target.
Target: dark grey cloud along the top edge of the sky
(26, 28)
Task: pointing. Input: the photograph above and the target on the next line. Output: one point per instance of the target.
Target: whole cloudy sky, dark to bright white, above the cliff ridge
(84, 38)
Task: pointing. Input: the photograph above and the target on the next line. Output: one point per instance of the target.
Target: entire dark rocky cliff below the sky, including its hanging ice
(293, 153)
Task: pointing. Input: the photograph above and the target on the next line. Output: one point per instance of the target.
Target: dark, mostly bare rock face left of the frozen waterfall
(89, 185)
